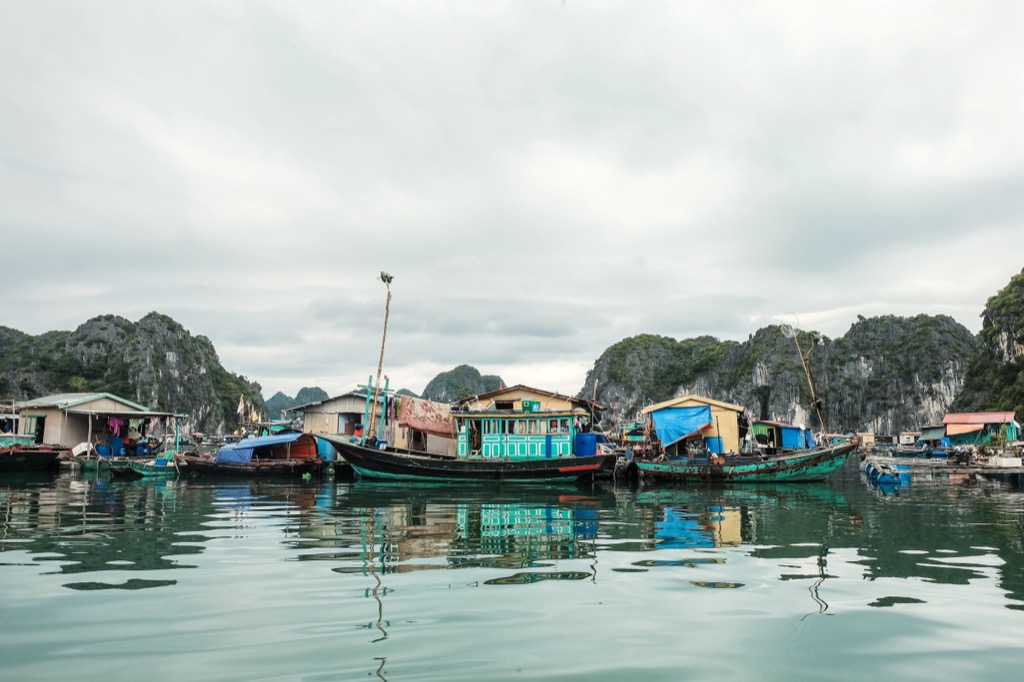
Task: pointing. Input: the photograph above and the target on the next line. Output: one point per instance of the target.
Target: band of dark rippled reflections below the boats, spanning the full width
(934, 533)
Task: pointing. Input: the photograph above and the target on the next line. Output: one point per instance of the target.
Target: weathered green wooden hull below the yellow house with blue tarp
(809, 465)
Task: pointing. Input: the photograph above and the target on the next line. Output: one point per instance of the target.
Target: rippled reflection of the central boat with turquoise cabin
(390, 530)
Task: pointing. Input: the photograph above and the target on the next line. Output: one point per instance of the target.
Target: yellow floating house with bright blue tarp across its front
(681, 421)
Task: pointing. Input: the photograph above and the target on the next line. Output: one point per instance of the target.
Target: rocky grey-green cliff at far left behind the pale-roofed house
(155, 362)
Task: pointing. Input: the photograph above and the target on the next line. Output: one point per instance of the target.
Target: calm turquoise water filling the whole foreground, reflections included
(104, 580)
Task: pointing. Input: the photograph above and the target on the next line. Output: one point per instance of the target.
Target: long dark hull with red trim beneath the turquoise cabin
(403, 465)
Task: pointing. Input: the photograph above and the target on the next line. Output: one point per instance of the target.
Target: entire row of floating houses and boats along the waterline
(519, 434)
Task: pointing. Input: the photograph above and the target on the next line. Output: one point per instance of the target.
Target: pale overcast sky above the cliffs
(543, 179)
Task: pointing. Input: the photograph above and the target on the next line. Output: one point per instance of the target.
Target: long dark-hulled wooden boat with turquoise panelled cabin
(495, 446)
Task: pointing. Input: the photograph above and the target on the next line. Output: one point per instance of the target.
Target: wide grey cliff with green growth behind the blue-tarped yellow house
(885, 375)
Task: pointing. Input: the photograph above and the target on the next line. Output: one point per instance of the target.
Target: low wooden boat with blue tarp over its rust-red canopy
(291, 454)
